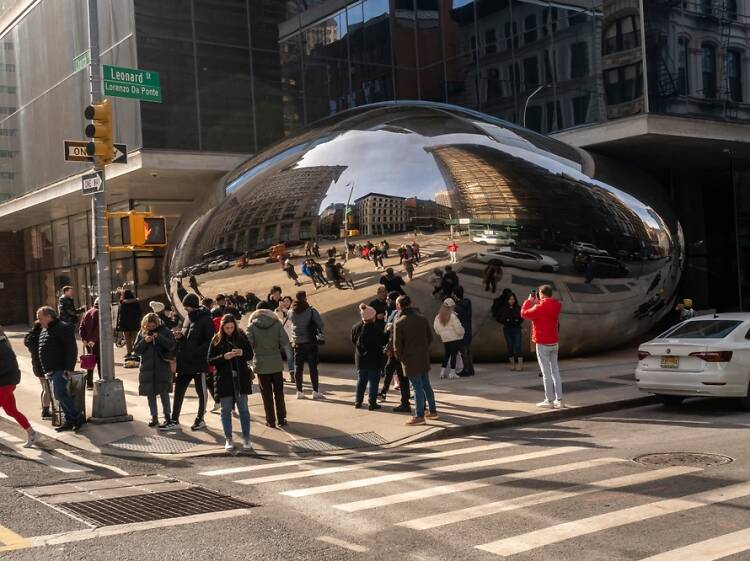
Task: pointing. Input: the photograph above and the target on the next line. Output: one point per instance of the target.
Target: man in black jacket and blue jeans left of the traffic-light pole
(58, 355)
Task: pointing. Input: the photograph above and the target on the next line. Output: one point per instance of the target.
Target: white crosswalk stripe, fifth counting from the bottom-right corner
(358, 483)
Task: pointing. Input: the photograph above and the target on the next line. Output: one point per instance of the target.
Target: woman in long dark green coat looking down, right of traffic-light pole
(155, 345)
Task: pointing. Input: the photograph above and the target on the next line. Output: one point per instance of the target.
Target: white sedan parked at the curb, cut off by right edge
(703, 356)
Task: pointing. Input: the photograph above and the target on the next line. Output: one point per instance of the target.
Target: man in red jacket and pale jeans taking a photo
(544, 313)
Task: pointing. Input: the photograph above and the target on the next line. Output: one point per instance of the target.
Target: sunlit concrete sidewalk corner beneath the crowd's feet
(495, 396)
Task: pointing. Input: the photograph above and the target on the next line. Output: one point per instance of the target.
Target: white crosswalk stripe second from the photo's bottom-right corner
(584, 526)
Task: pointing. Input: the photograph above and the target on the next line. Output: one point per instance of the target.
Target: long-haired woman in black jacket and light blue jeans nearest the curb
(230, 352)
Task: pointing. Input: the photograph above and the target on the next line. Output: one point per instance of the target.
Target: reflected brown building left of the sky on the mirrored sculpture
(283, 208)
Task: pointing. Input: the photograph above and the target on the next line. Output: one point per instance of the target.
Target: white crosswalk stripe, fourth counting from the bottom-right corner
(470, 485)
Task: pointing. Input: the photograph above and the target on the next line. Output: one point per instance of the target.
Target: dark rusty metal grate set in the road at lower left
(154, 506)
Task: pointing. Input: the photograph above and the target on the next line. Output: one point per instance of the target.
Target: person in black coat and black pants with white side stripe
(193, 341)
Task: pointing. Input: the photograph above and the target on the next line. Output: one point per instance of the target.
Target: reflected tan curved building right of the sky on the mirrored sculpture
(494, 188)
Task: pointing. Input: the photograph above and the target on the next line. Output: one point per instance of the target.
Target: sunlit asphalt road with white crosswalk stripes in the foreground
(558, 491)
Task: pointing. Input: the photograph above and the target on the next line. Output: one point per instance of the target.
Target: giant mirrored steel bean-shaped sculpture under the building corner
(537, 209)
